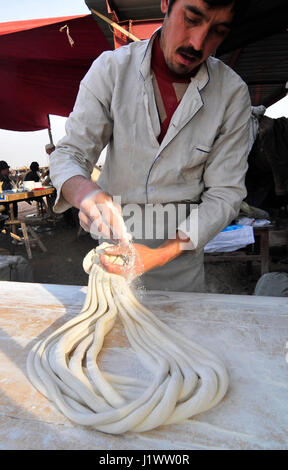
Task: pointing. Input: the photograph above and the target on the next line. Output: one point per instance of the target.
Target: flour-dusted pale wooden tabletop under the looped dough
(249, 333)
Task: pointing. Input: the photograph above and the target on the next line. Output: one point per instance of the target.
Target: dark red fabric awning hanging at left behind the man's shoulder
(40, 70)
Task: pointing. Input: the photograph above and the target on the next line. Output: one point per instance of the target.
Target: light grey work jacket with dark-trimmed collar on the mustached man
(203, 156)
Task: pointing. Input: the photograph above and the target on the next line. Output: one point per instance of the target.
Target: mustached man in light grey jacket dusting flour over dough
(176, 122)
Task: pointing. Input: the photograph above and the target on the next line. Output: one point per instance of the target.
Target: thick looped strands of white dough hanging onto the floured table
(187, 378)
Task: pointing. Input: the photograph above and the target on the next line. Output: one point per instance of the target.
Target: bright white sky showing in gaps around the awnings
(21, 148)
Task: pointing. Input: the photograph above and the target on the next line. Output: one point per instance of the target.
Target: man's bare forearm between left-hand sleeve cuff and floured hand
(75, 189)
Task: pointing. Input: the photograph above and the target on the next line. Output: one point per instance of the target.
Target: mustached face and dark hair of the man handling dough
(192, 32)
